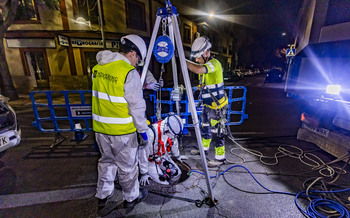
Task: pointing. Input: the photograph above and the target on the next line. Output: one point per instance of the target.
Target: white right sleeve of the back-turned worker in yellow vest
(136, 104)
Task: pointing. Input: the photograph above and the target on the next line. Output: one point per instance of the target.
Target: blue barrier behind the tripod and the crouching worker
(185, 114)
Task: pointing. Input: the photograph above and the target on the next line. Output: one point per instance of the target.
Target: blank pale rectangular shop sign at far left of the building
(31, 43)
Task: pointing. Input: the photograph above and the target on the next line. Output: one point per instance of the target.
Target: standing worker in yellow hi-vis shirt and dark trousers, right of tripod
(213, 96)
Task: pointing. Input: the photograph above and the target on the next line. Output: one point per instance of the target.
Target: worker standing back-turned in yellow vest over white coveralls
(118, 112)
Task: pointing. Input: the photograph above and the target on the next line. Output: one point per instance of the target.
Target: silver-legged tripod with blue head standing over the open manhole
(170, 14)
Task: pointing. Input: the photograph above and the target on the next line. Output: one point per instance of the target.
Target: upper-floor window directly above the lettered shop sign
(87, 9)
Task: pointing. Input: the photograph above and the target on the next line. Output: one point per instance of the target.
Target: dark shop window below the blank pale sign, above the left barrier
(36, 66)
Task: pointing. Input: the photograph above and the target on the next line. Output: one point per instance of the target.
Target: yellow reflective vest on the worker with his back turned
(110, 111)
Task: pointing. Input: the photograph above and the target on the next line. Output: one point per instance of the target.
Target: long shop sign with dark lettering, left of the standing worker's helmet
(93, 43)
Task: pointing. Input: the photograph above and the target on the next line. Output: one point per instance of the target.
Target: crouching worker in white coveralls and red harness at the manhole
(155, 158)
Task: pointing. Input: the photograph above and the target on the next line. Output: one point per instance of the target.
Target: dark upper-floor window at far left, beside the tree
(27, 11)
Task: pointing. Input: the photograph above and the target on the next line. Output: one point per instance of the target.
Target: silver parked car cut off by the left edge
(10, 133)
